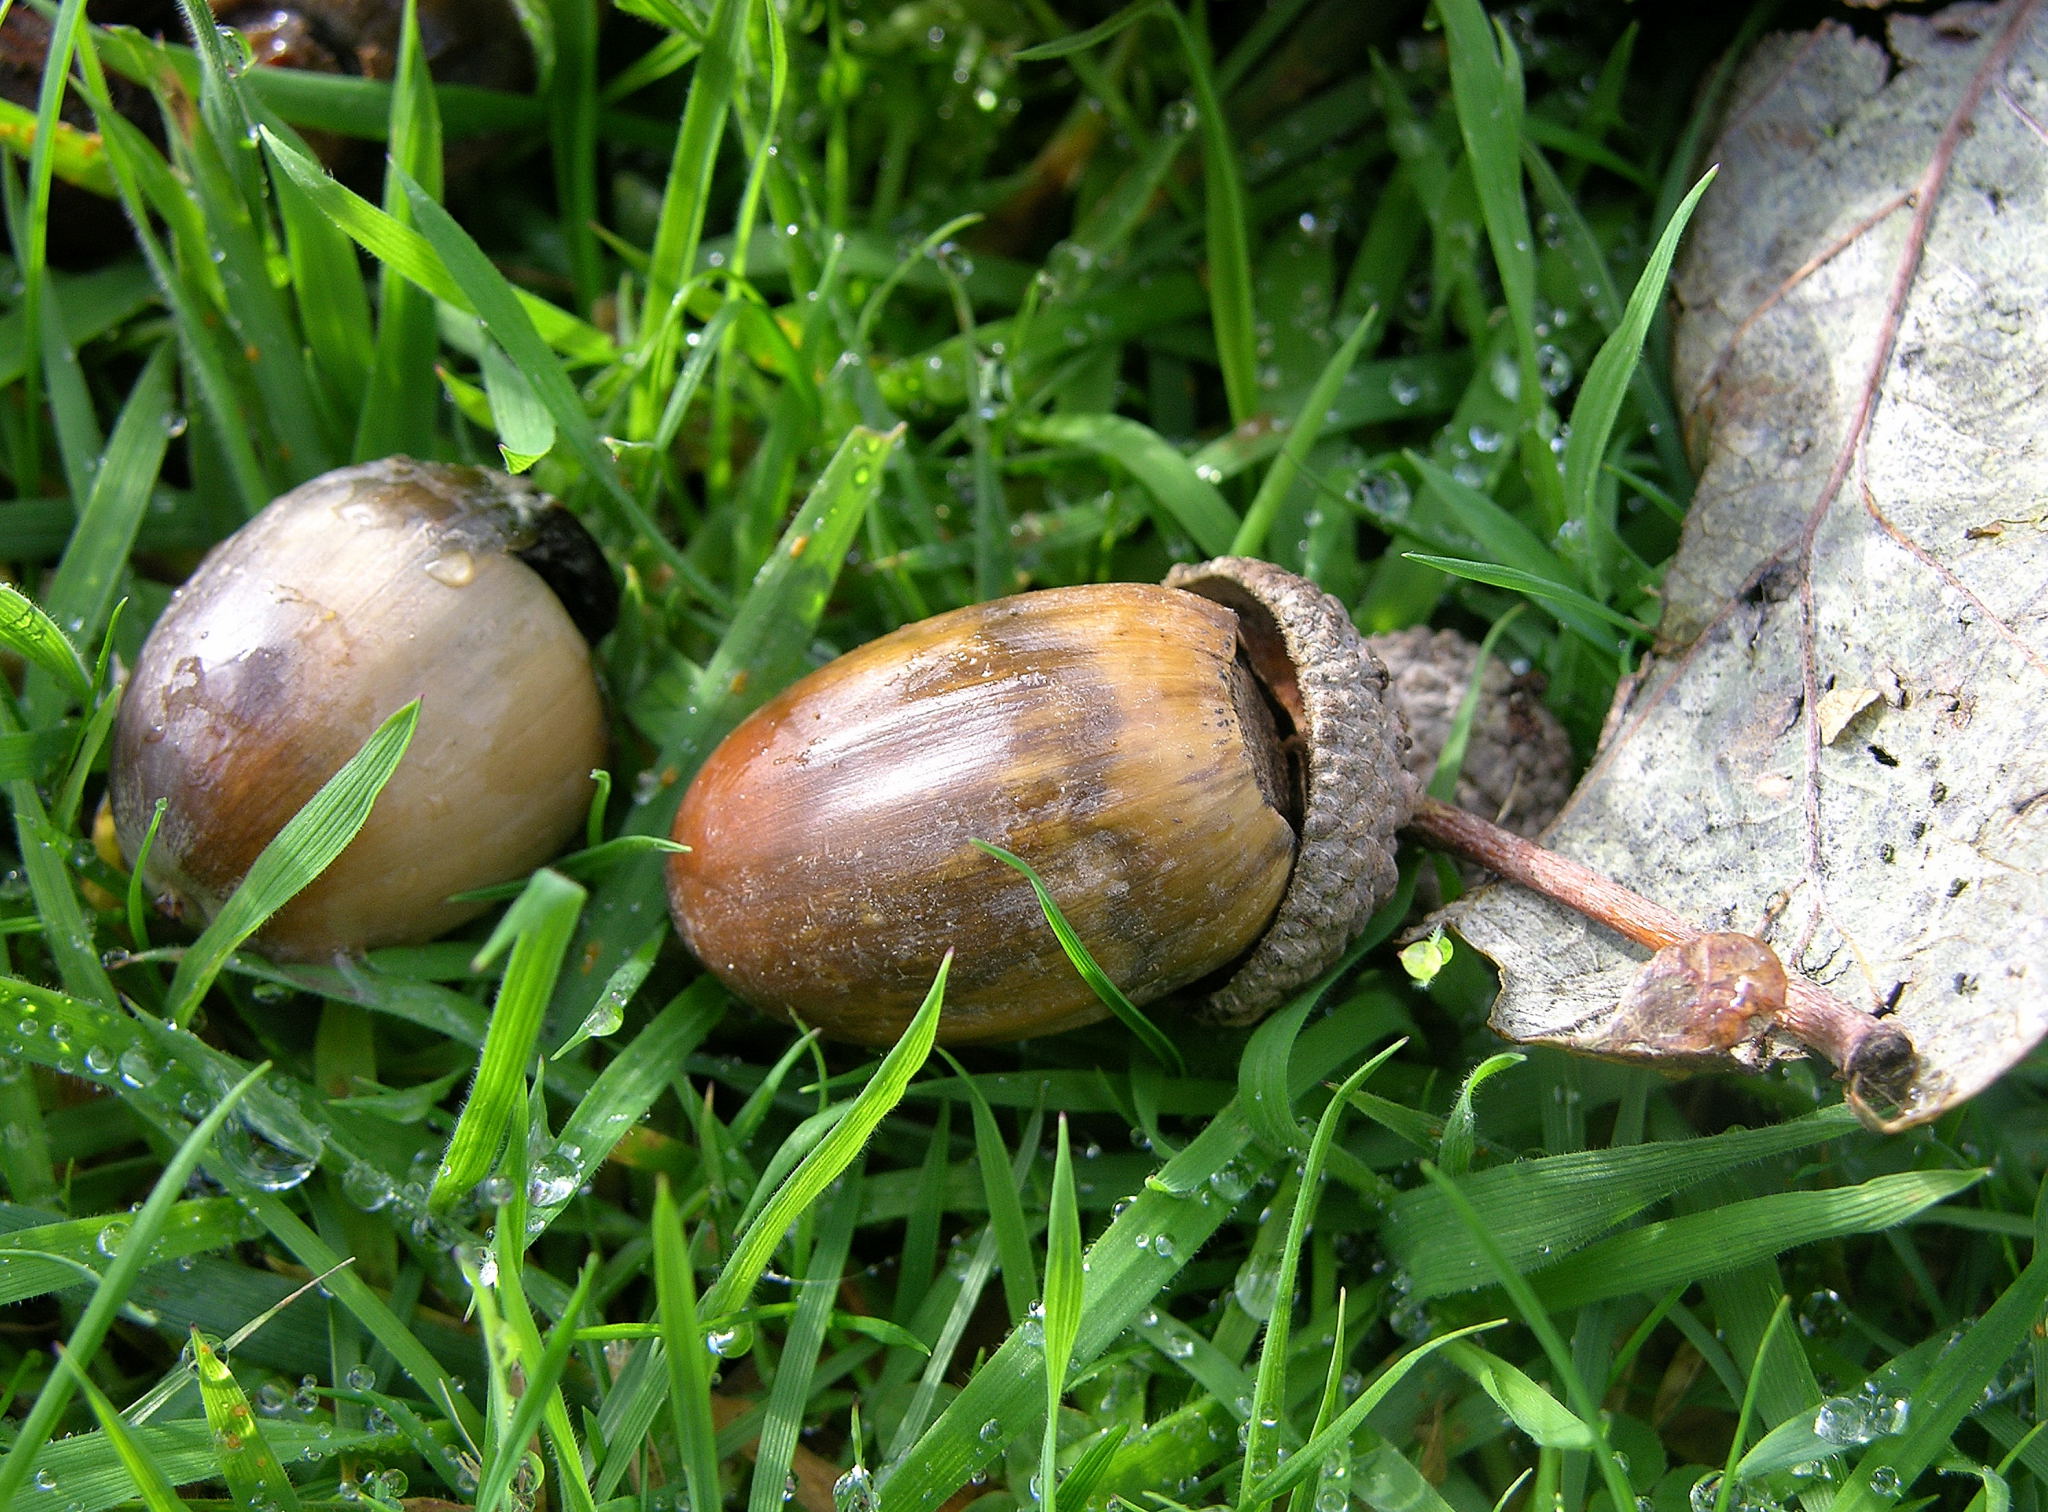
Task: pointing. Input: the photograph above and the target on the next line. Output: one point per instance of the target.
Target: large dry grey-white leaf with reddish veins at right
(1863, 351)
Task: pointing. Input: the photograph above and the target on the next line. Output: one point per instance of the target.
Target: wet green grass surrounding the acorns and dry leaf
(826, 319)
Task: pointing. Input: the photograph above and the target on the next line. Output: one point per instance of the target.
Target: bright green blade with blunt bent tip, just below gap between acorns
(538, 929)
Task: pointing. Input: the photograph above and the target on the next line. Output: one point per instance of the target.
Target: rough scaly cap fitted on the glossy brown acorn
(1349, 745)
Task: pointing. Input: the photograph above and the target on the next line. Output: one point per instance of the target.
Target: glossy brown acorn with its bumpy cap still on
(1207, 775)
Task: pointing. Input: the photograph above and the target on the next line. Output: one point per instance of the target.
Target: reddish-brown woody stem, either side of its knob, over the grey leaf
(1877, 1058)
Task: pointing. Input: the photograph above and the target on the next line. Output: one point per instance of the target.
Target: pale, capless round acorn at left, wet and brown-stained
(310, 626)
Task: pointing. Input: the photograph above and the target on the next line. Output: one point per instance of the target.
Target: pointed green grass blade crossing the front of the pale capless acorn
(304, 849)
